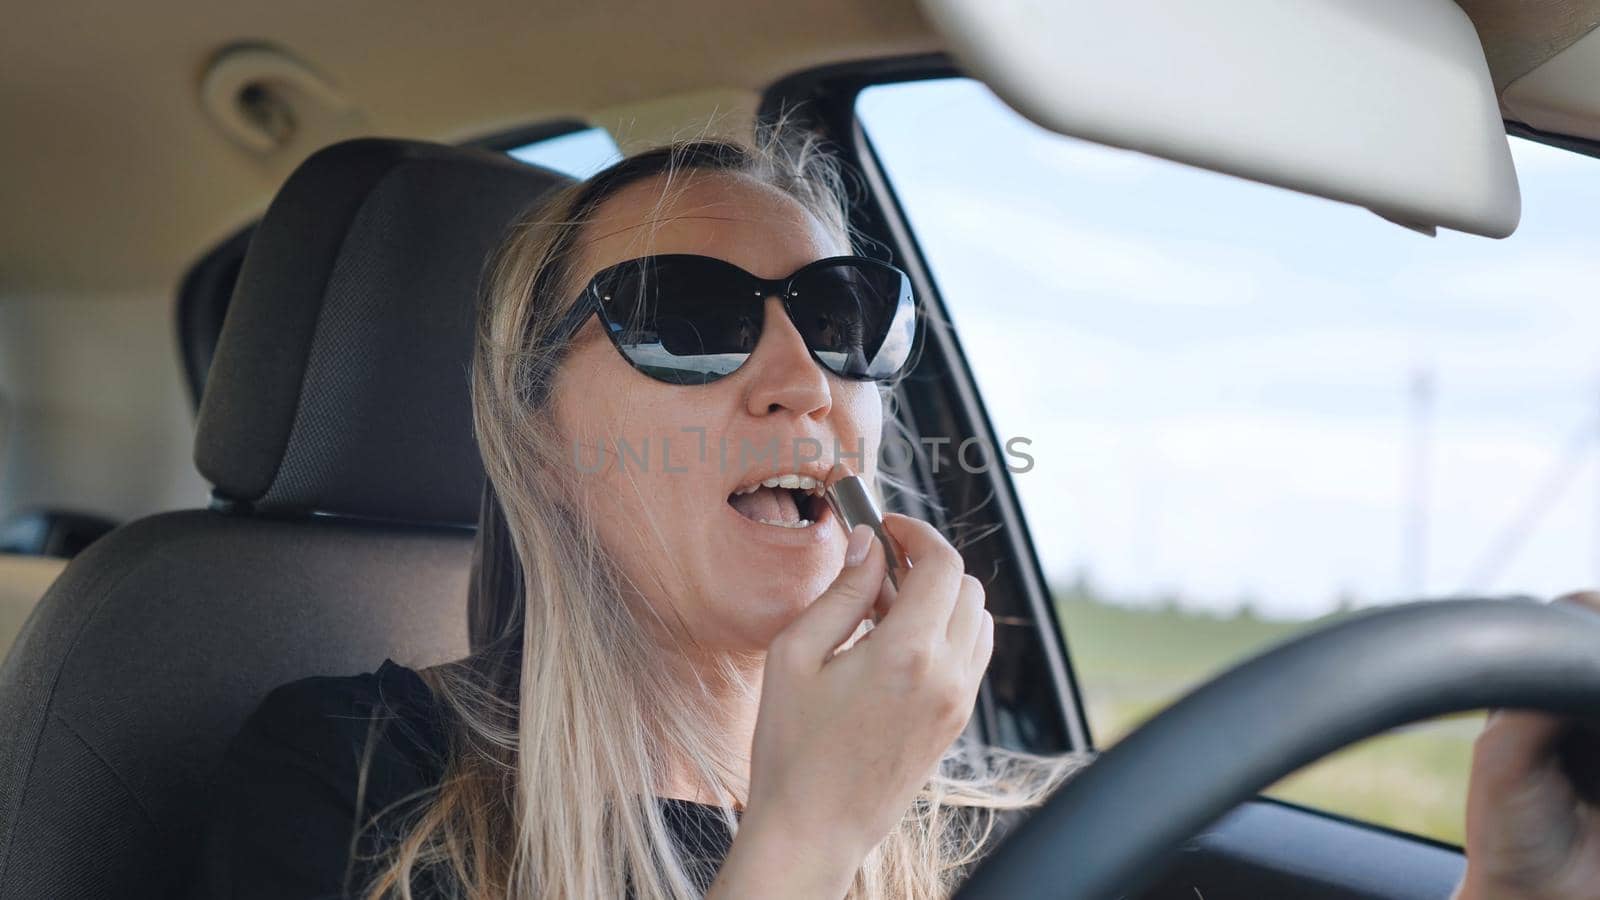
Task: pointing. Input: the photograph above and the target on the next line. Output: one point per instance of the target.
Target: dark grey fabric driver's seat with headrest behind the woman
(337, 432)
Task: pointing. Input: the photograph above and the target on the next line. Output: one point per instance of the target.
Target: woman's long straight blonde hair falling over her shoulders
(561, 723)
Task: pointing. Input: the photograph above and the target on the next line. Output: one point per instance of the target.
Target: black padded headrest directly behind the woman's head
(342, 382)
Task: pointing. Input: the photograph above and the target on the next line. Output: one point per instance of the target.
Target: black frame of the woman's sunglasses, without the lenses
(590, 303)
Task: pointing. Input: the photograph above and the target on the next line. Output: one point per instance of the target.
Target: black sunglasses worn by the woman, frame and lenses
(692, 319)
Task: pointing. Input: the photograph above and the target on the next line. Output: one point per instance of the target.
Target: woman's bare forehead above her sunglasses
(730, 217)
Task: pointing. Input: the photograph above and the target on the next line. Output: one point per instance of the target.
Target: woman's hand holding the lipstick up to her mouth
(844, 742)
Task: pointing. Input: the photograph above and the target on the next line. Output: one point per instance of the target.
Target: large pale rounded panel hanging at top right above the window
(1378, 103)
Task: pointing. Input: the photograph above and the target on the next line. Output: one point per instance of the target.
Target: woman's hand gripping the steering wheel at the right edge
(1532, 834)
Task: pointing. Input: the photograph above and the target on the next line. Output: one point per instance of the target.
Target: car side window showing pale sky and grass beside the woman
(1250, 411)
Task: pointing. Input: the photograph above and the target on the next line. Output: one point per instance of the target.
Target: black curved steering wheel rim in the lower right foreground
(1110, 830)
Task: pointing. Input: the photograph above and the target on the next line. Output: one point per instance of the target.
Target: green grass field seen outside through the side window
(1132, 662)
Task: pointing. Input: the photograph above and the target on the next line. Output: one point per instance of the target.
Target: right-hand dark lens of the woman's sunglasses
(858, 318)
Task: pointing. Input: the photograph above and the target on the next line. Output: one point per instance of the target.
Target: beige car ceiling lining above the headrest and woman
(118, 180)
